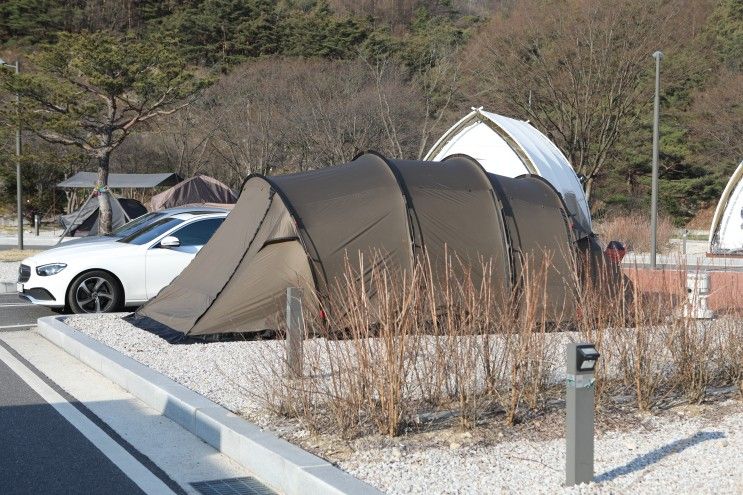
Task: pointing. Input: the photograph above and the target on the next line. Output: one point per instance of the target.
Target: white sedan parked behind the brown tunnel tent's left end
(106, 273)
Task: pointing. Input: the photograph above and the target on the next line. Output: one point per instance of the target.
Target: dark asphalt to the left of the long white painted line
(43, 453)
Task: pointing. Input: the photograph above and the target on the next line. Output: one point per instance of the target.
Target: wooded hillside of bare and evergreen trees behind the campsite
(297, 84)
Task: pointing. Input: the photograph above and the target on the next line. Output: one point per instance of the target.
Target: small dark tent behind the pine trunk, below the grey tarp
(84, 221)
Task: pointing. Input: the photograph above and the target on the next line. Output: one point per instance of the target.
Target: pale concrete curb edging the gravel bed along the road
(276, 462)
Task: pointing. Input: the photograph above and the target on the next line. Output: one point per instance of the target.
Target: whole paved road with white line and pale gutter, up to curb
(47, 447)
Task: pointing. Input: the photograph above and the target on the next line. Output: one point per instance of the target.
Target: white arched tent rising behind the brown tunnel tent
(511, 147)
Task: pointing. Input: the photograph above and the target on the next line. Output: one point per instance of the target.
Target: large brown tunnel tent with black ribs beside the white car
(299, 230)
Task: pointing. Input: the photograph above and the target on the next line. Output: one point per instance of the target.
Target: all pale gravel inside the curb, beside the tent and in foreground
(688, 451)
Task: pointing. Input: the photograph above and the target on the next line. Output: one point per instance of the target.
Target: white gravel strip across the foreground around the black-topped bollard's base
(678, 456)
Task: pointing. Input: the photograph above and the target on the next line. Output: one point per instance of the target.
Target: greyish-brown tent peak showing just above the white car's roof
(200, 189)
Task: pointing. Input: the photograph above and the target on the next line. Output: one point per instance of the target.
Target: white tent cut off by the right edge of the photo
(726, 232)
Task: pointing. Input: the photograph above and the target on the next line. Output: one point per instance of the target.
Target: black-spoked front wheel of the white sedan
(95, 292)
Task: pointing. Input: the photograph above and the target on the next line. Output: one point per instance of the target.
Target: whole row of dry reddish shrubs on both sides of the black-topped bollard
(400, 351)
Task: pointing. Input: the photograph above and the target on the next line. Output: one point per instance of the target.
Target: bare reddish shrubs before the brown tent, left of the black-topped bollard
(398, 350)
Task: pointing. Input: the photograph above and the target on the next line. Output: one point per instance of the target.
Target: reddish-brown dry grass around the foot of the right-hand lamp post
(634, 232)
